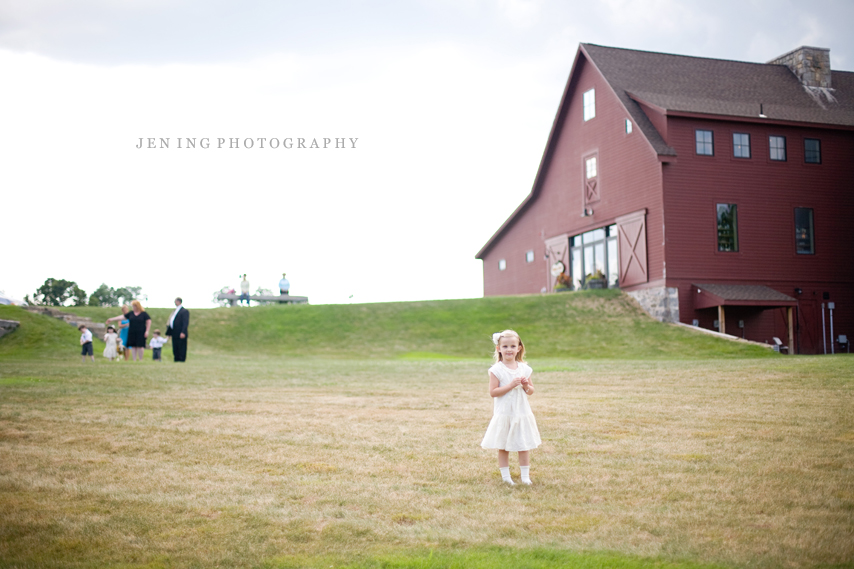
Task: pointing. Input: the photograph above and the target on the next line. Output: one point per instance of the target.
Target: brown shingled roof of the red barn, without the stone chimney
(680, 85)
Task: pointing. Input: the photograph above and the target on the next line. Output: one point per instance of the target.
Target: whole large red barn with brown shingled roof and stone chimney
(717, 193)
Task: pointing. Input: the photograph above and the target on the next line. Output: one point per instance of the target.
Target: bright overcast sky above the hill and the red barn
(450, 103)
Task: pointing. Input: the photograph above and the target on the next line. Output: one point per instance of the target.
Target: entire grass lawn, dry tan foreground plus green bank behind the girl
(250, 457)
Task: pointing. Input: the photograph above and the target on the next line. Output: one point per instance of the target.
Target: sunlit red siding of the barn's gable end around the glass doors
(629, 178)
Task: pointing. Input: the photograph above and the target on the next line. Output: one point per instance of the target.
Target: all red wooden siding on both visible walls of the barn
(682, 246)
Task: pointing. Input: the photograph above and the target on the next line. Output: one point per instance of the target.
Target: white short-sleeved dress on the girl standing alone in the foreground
(513, 426)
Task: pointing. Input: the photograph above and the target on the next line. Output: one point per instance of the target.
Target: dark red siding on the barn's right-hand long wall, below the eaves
(766, 193)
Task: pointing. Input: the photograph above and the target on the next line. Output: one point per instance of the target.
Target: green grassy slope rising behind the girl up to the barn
(589, 324)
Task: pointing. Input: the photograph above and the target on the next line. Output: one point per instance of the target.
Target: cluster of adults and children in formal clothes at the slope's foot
(134, 328)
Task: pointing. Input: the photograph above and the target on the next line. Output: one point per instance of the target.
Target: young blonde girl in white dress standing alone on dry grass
(513, 426)
